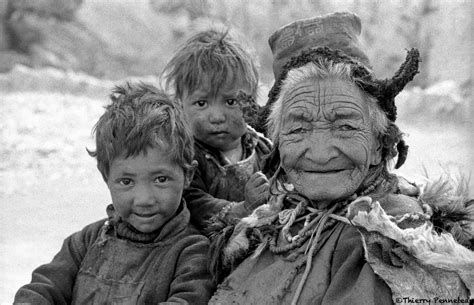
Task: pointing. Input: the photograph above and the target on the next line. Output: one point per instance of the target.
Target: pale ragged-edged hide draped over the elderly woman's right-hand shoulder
(416, 262)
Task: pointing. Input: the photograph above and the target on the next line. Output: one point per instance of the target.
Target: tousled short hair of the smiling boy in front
(140, 117)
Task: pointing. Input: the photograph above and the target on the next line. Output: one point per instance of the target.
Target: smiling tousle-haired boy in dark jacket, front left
(145, 252)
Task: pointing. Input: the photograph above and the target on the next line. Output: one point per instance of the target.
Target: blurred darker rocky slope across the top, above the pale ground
(116, 39)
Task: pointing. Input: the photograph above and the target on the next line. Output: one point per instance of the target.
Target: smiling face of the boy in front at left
(146, 189)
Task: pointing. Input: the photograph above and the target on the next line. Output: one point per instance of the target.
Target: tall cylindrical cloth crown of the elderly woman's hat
(339, 30)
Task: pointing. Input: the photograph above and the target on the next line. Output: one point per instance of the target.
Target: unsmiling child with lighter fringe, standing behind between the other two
(216, 81)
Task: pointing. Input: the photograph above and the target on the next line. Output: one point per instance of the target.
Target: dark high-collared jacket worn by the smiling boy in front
(114, 264)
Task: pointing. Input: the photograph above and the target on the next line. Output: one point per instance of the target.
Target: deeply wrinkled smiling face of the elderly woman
(326, 141)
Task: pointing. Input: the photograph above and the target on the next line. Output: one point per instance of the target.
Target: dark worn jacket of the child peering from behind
(216, 182)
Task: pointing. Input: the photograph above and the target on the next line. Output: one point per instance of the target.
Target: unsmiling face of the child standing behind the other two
(216, 119)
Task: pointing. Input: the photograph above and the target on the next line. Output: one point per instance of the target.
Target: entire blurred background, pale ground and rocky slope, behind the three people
(60, 58)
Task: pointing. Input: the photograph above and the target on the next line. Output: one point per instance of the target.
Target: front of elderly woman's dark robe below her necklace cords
(339, 275)
